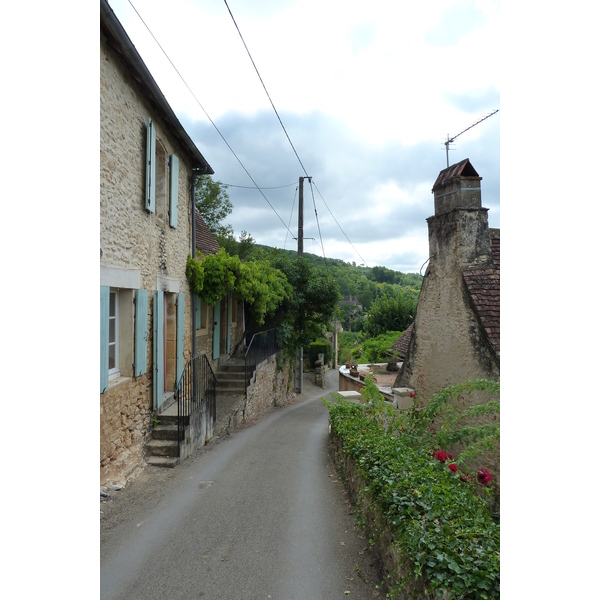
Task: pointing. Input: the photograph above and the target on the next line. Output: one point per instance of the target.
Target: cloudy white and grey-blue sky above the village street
(367, 93)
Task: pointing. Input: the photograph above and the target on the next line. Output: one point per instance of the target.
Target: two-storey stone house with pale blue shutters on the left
(147, 321)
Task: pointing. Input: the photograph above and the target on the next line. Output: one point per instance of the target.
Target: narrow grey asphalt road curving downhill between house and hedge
(260, 515)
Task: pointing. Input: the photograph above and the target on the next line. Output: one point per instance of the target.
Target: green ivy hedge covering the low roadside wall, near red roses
(442, 522)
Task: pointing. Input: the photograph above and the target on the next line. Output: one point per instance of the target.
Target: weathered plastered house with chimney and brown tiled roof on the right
(456, 332)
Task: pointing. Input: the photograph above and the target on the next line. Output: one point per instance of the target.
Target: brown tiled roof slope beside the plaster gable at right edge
(483, 286)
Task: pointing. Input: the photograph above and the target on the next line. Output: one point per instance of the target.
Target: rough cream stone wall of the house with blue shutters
(139, 242)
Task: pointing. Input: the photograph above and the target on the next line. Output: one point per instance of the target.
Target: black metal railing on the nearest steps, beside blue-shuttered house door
(196, 389)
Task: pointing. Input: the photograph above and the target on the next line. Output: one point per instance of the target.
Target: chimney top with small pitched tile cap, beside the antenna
(458, 186)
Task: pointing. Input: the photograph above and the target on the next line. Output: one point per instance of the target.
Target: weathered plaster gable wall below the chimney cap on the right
(447, 345)
